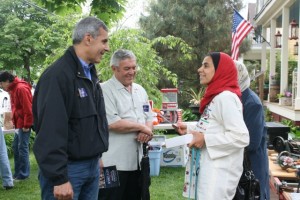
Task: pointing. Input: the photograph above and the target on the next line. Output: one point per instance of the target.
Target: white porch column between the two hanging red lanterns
(284, 50)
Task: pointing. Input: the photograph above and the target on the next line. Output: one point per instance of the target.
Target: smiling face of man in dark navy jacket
(96, 46)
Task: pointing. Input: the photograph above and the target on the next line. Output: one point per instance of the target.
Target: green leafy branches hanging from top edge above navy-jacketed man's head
(107, 10)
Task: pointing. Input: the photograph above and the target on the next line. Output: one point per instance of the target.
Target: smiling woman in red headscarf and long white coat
(220, 135)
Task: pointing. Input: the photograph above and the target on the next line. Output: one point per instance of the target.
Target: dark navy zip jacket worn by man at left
(69, 117)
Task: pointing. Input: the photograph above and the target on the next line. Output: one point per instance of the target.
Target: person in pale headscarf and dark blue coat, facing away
(254, 118)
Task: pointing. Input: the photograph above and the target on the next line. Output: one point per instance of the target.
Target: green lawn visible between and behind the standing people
(168, 185)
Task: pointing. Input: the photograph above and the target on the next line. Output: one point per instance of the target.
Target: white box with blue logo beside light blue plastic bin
(175, 156)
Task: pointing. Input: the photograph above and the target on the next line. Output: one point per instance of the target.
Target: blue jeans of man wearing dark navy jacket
(83, 176)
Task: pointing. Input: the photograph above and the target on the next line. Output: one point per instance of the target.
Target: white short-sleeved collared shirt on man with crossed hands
(124, 150)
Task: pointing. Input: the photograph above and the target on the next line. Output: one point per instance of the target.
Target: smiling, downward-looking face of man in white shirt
(126, 71)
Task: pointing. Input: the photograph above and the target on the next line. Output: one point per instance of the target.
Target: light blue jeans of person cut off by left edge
(4, 163)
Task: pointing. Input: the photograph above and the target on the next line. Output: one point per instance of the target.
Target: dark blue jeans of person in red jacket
(21, 154)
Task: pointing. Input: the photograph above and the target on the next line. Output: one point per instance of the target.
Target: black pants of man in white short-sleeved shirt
(129, 188)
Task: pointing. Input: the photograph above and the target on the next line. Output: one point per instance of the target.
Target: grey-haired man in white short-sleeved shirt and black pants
(130, 124)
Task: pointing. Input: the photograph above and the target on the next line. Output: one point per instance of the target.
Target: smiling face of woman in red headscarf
(206, 71)
